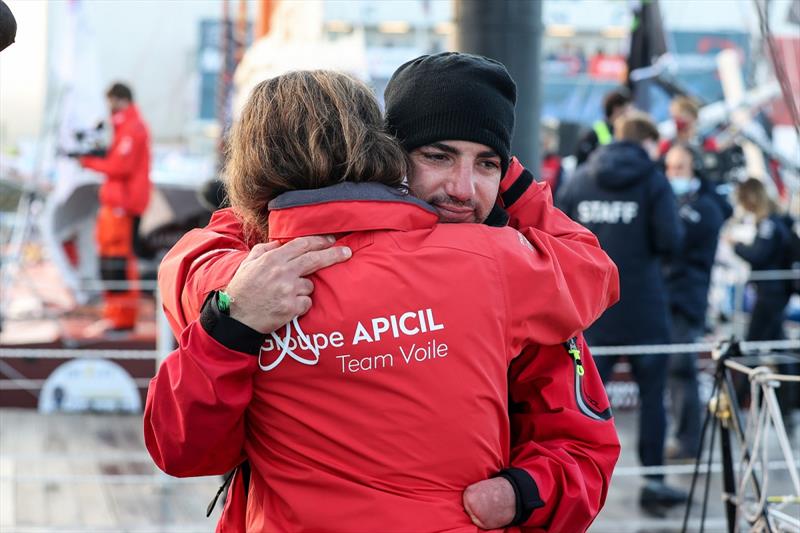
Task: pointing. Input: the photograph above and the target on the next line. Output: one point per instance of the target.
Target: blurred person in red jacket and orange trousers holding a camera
(124, 195)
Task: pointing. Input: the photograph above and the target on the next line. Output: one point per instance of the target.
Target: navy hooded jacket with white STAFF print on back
(621, 196)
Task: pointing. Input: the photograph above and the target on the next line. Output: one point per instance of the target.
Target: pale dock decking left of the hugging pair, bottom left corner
(91, 473)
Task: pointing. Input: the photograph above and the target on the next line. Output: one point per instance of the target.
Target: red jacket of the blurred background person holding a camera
(127, 165)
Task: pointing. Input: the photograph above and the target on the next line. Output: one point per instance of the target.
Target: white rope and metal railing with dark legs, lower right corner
(748, 492)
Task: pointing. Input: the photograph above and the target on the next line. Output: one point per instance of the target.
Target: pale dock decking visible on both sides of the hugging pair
(91, 473)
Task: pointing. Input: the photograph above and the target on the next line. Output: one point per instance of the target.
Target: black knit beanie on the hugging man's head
(452, 96)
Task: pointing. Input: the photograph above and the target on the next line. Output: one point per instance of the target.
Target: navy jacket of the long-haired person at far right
(768, 252)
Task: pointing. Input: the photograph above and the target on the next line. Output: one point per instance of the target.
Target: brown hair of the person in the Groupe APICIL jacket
(306, 130)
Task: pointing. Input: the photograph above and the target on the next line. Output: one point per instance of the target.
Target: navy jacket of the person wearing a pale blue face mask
(688, 273)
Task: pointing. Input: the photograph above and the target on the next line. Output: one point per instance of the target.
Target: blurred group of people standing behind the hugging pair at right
(659, 212)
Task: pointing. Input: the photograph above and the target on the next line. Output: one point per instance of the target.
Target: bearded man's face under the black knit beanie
(460, 179)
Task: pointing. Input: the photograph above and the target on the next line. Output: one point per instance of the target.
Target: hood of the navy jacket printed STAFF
(620, 165)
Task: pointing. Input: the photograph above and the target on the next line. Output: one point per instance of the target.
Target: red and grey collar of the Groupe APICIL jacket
(345, 208)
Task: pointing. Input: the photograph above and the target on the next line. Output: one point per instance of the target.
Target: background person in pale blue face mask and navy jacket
(688, 276)
